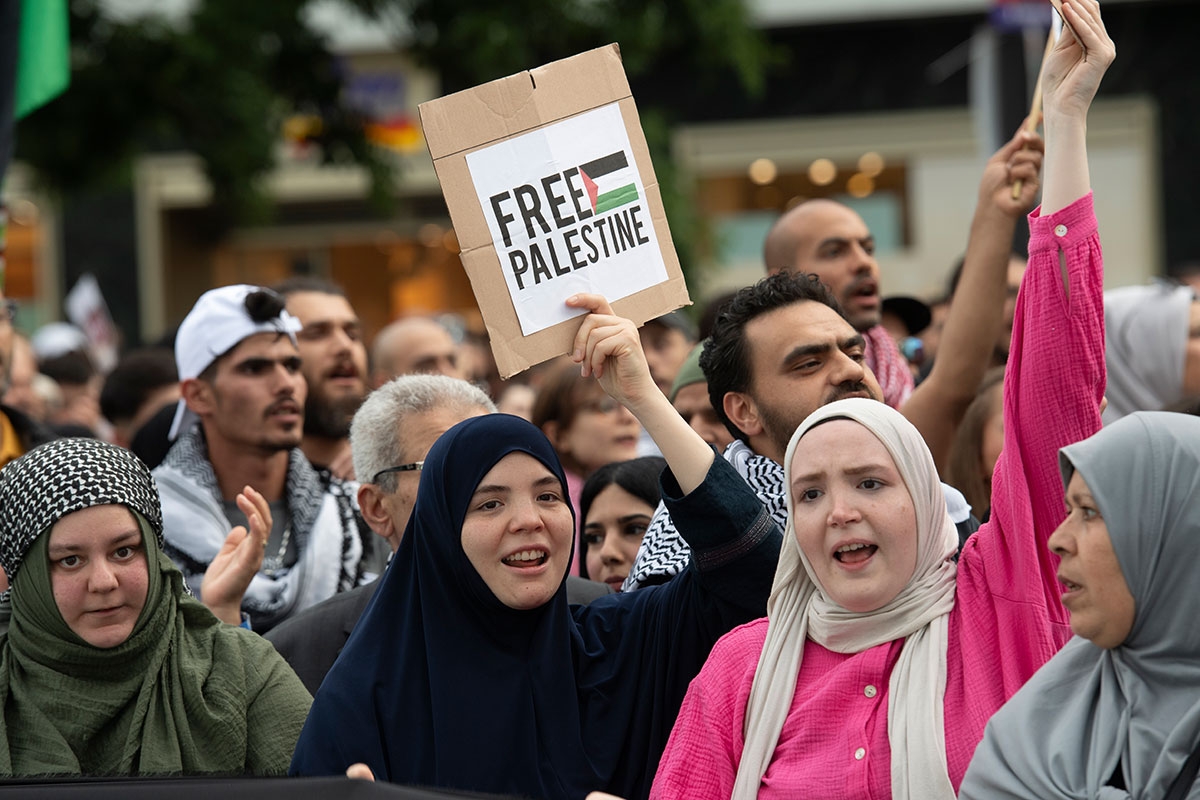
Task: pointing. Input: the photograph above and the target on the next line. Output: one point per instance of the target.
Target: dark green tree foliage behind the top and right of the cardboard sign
(467, 43)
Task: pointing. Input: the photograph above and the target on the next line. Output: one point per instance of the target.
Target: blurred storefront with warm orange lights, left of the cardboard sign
(322, 225)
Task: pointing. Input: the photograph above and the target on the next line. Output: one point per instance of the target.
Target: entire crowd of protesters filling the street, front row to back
(764, 556)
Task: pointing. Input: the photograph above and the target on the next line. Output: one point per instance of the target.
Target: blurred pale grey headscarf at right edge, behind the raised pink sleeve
(1147, 333)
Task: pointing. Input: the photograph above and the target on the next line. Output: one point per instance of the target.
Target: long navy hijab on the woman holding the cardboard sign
(443, 685)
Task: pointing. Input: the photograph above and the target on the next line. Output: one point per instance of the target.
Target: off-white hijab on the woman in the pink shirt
(800, 610)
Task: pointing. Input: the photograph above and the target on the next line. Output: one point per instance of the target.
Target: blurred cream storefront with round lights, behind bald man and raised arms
(914, 178)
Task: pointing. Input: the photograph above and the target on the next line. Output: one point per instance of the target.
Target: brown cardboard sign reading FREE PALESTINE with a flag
(551, 191)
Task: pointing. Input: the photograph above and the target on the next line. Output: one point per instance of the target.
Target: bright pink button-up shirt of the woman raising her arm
(1007, 618)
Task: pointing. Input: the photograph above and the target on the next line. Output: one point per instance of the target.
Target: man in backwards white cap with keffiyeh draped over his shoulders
(239, 424)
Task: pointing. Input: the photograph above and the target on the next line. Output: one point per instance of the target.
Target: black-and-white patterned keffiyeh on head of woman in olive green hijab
(64, 477)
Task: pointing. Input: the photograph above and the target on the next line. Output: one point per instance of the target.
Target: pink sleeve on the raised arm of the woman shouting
(1053, 389)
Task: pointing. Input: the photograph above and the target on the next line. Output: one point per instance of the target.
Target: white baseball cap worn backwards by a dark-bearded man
(217, 324)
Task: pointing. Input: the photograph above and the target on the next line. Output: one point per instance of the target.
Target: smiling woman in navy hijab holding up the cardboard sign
(471, 672)
